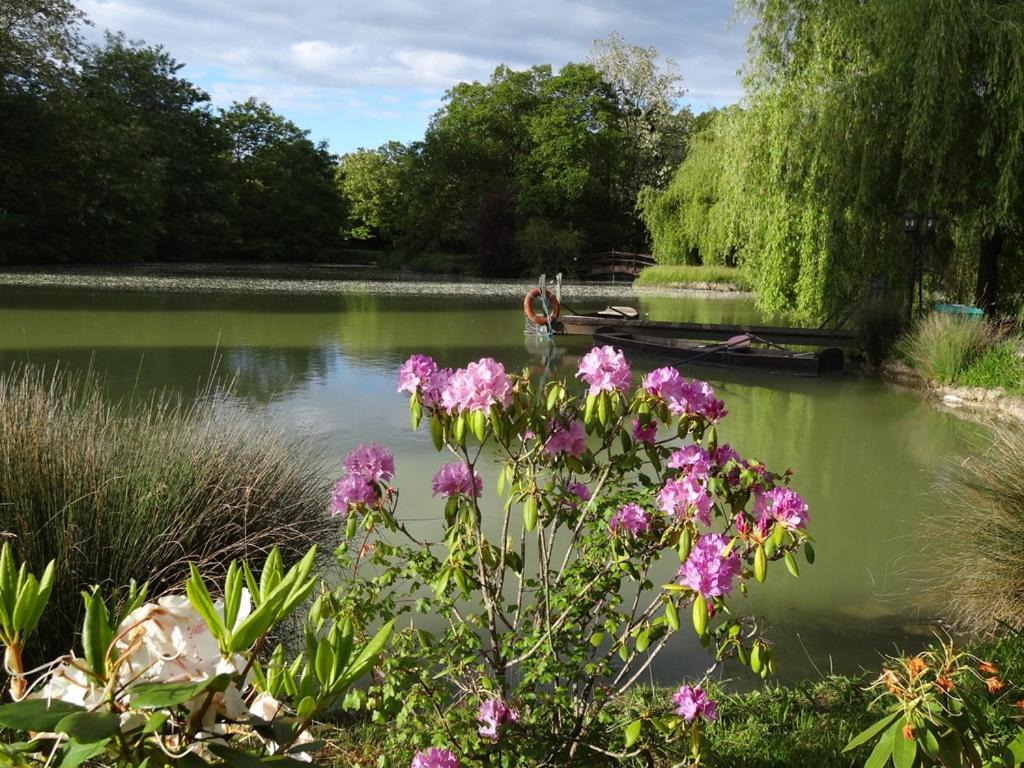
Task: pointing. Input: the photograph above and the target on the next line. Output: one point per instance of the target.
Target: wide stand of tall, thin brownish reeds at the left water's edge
(115, 492)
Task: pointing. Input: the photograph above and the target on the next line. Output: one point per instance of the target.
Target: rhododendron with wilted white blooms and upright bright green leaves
(184, 680)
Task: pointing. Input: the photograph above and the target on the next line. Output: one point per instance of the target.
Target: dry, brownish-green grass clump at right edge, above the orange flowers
(977, 551)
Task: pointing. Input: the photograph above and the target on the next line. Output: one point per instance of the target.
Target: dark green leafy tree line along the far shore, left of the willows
(109, 154)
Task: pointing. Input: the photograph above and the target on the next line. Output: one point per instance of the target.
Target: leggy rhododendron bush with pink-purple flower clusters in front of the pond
(558, 502)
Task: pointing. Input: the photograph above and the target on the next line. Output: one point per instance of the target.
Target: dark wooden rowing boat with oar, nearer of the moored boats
(737, 353)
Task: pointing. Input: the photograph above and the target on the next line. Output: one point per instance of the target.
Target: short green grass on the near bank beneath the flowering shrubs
(804, 726)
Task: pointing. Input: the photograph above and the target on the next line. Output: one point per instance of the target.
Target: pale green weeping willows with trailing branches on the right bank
(855, 114)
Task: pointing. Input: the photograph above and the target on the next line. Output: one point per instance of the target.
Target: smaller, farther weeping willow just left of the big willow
(696, 220)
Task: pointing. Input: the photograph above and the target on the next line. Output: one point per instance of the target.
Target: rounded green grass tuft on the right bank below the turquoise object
(942, 347)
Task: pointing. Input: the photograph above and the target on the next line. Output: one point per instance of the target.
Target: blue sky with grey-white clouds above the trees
(360, 74)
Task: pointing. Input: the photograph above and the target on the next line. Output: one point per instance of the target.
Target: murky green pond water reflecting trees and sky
(867, 457)
